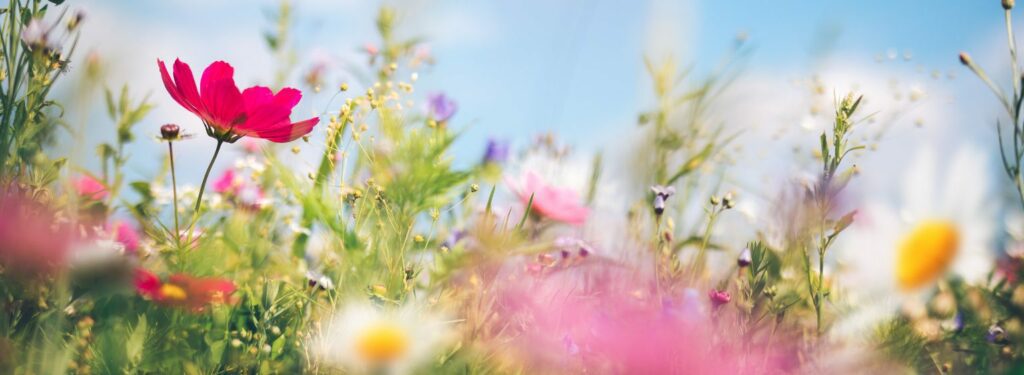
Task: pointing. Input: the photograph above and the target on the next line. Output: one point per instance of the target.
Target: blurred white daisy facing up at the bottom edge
(364, 339)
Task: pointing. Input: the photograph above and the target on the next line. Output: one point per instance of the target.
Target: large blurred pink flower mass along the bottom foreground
(606, 318)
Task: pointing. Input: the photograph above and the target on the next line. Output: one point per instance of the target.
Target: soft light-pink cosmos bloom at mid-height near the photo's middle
(551, 202)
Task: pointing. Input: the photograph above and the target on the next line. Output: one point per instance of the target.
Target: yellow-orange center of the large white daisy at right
(926, 254)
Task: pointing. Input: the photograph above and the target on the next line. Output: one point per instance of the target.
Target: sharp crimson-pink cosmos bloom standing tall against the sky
(230, 114)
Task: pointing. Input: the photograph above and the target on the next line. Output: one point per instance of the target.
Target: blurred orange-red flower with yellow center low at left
(184, 291)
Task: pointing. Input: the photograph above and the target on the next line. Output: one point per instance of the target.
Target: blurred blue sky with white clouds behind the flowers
(575, 68)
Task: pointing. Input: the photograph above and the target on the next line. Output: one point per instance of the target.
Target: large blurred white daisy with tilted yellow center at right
(942, 226)
